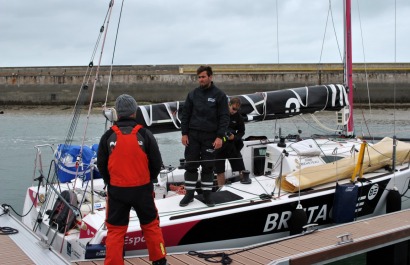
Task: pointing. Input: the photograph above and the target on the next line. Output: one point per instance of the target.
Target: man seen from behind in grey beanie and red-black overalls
(128, 158)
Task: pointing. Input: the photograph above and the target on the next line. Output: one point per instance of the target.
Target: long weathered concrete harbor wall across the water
(163, 83)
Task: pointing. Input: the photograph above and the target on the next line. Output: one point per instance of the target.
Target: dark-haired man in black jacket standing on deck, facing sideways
(204, 121)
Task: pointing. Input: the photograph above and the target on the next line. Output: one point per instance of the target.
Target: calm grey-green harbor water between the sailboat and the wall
(20, 132)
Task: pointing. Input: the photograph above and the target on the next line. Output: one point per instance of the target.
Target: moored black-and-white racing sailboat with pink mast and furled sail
(296, 183)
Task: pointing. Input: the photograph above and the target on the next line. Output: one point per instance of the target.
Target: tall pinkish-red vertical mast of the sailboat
(348, 64)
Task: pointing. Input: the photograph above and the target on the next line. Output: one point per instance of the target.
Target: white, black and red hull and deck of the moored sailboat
(241, 217)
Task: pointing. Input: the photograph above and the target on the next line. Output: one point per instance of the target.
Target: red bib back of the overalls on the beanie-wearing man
(128, 163)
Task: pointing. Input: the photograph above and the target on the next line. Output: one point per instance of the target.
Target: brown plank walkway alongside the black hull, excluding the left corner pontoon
(327, 244)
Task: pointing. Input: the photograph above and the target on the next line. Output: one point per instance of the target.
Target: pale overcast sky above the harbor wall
(153, 32)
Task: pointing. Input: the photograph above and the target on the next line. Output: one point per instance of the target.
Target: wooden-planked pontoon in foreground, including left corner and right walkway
(322, 246)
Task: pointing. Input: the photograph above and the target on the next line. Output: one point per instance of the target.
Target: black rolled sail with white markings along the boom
(279, 104)
